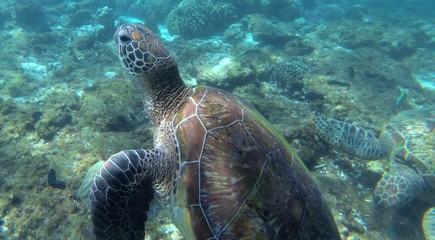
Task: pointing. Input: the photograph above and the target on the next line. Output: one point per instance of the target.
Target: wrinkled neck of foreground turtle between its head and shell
(162, 92)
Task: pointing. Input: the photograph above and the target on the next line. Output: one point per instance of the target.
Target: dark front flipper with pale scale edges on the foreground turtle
(120, 195)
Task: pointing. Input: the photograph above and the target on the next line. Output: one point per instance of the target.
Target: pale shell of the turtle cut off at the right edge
(414, 140)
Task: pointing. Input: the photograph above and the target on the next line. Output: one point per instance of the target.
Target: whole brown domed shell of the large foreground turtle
(237, 178)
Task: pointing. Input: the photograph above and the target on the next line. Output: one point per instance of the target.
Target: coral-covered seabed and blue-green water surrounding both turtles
(66, 103)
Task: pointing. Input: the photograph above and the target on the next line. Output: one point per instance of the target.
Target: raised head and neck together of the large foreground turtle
(156, 73)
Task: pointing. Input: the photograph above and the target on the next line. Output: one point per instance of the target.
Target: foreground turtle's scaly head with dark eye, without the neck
(140, 51)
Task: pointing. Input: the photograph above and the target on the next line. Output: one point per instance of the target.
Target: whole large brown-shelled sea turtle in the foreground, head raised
(217, 164)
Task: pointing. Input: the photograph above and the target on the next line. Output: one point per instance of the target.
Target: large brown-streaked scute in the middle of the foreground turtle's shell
(230, 165)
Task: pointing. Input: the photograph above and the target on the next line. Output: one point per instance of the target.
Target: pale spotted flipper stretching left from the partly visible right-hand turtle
(352, 139)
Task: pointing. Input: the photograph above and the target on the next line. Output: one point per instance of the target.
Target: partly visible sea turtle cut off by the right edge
(409, 142)
